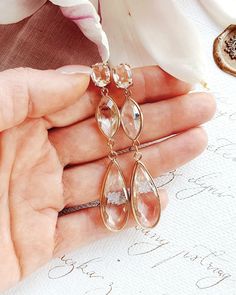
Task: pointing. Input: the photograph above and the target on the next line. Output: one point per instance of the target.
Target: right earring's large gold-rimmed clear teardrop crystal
(144, 197)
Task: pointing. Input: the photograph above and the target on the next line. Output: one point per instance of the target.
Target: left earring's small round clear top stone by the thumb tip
(101, 74)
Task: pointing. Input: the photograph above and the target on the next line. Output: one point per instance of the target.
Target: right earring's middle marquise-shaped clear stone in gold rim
(131, 118)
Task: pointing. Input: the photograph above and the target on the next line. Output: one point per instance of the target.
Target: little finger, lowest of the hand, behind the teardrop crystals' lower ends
(80, 228)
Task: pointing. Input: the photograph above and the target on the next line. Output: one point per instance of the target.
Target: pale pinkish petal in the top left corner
(12, 11)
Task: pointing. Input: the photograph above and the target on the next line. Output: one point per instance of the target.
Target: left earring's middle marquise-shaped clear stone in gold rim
(108, 117)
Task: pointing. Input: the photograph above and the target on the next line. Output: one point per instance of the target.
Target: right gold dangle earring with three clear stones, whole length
(145, 201)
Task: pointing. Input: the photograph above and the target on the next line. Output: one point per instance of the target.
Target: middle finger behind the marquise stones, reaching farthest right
(83, 142)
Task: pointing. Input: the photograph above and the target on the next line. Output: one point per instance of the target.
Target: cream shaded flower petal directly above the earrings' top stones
(124, 42)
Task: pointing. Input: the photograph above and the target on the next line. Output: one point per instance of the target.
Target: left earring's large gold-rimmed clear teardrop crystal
(114, 199)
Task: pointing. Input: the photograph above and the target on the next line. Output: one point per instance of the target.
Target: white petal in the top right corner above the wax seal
(222, 11)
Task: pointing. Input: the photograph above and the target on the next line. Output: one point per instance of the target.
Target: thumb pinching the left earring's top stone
(26, 92)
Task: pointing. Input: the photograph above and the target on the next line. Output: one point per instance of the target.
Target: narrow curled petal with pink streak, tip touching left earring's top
(86, 18)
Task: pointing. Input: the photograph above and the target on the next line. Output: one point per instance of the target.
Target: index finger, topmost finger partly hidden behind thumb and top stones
(150, 84)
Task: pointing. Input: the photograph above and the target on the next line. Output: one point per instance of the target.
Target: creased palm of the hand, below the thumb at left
(29, 211)
